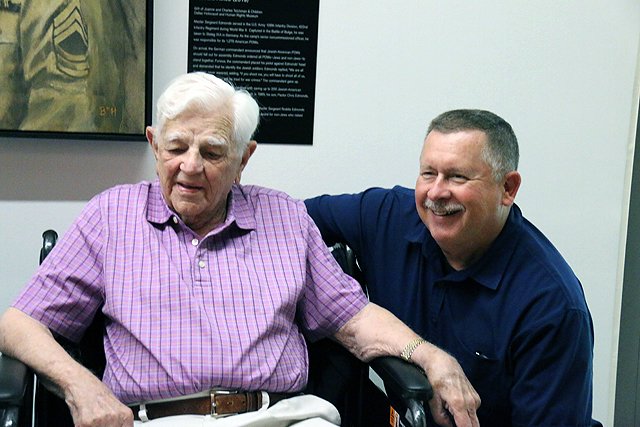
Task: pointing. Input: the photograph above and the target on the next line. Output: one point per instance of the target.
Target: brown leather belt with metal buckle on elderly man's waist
(217, 403)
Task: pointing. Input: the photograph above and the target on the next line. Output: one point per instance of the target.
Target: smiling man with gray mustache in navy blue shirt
(457, 262)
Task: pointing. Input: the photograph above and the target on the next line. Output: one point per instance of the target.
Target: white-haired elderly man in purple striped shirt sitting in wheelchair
(205, 285)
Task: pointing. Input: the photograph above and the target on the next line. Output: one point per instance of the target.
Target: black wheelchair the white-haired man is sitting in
(385, 392)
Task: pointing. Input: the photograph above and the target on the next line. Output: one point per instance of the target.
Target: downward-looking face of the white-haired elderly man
(197, 164)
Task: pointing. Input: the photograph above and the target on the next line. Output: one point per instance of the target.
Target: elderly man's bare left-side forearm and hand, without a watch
(90, 401)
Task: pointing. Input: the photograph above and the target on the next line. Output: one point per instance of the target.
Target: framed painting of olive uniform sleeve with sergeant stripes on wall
(76, 69)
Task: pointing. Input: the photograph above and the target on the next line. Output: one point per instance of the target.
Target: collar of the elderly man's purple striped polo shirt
(239, 210)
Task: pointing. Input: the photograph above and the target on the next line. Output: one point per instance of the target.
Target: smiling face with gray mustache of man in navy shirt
(457, 198)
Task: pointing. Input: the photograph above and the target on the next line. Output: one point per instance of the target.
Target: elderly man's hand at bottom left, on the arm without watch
(93, 405)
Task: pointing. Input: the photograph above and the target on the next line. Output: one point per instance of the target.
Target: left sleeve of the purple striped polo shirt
(64, 293)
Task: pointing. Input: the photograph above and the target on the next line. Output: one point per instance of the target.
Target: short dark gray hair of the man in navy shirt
(501, 151)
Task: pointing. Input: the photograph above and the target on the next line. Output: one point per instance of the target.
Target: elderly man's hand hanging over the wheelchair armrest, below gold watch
(454, 398)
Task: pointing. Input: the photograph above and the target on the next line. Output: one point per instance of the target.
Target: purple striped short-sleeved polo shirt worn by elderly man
(184, 314)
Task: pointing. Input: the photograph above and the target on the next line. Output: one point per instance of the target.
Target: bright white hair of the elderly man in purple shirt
(202, 92)
